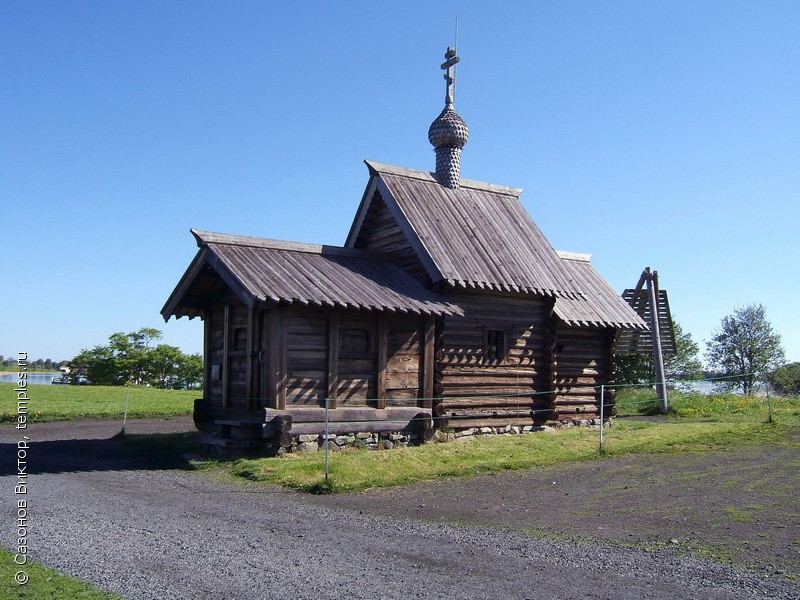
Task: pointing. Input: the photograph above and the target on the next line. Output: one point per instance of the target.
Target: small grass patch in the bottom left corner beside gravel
(44, 583)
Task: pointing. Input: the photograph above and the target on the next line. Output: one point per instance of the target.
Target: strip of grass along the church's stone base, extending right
(696, 423)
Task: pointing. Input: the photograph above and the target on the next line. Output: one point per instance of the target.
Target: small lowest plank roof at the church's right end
(602, 306)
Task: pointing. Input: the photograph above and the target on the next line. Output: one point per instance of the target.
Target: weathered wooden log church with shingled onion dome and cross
(445, 308)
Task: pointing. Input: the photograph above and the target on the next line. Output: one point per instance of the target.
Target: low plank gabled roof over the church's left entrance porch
(259, 269)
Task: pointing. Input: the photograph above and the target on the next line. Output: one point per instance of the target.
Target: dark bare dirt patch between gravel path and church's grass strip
(740, 505)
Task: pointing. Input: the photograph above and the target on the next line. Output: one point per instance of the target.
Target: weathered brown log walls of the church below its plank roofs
(367, 359)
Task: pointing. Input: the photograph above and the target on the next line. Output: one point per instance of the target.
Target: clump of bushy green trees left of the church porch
(135, 358)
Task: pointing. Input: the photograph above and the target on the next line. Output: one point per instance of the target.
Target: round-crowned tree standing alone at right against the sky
(745, 348)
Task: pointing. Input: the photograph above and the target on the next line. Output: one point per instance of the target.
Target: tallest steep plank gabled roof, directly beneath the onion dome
(477, 236)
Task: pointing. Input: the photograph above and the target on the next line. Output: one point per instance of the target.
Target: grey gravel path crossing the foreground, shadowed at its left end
(111, 517)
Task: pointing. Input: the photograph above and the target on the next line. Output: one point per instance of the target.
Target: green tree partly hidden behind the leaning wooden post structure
(684, 364)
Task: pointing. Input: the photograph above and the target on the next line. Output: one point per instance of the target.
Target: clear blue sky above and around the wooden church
(661, 134)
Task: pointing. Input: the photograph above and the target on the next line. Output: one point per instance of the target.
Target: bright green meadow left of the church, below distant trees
(63, 402)
